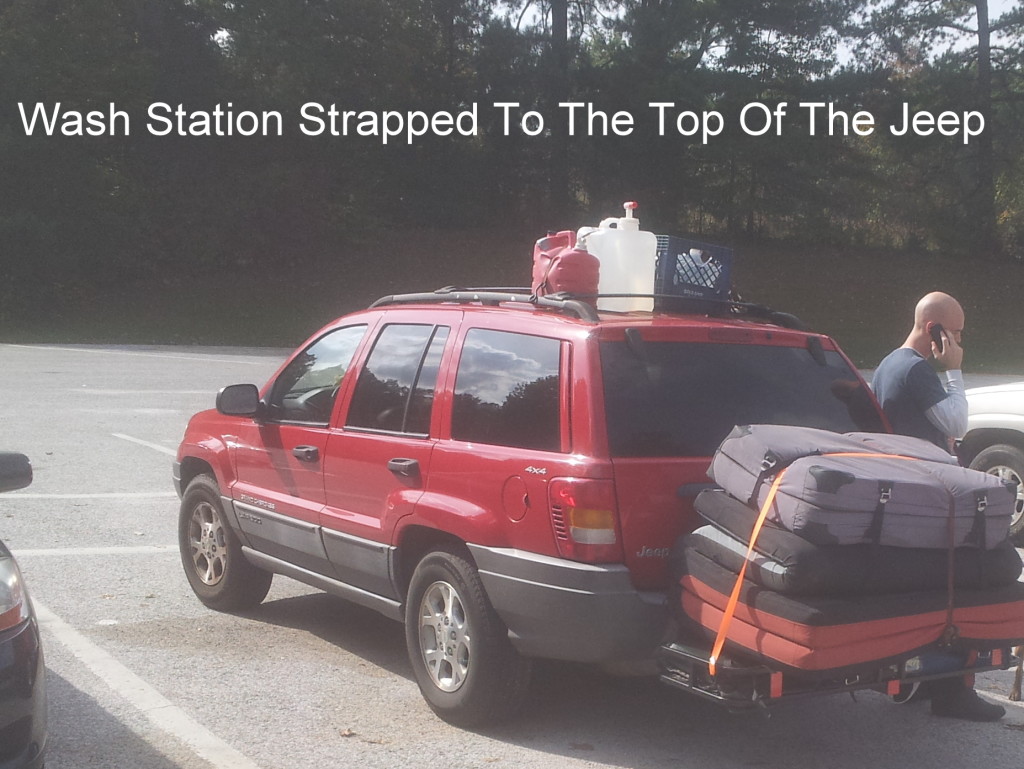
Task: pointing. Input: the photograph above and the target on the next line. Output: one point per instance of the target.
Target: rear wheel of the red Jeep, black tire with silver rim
(473, 676)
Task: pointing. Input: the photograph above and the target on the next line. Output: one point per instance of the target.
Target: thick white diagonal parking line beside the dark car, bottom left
(163, 714)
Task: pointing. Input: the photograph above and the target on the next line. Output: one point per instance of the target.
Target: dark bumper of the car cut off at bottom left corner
(23, 699)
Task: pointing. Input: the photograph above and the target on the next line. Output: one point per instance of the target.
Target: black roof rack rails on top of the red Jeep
(581, 307)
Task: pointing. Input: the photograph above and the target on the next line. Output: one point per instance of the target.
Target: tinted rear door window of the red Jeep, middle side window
(396, 390)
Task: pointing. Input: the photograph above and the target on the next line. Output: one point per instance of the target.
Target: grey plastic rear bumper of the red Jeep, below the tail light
(562, 610)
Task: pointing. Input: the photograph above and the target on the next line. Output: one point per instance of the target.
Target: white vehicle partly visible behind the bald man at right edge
(995, 443)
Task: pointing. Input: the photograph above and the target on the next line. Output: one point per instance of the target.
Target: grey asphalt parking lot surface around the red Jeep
(141, 675)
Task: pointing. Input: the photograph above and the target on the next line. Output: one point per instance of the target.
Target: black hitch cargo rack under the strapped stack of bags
(741, 687)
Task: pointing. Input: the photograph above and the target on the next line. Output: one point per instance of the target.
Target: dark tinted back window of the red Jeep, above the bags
(682, 399)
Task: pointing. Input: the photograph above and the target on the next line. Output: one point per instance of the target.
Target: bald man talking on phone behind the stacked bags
(919, 403)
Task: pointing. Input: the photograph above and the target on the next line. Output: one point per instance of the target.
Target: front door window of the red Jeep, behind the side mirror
(307, 389)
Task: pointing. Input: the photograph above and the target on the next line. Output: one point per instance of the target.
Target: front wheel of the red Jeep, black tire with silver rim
(211, 554)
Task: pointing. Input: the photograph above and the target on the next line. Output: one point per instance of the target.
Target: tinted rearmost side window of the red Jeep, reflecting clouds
(507, 392)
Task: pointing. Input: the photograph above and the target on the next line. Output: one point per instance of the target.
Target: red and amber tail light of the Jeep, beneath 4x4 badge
(586, 520)
